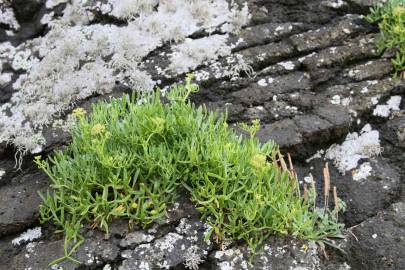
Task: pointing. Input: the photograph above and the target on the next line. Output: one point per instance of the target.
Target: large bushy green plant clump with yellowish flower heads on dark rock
(129, 158)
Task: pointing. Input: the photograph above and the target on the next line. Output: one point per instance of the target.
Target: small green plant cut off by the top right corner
(391, 21)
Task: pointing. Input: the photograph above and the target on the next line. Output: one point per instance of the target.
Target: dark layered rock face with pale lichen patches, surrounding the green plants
(309, 70)
